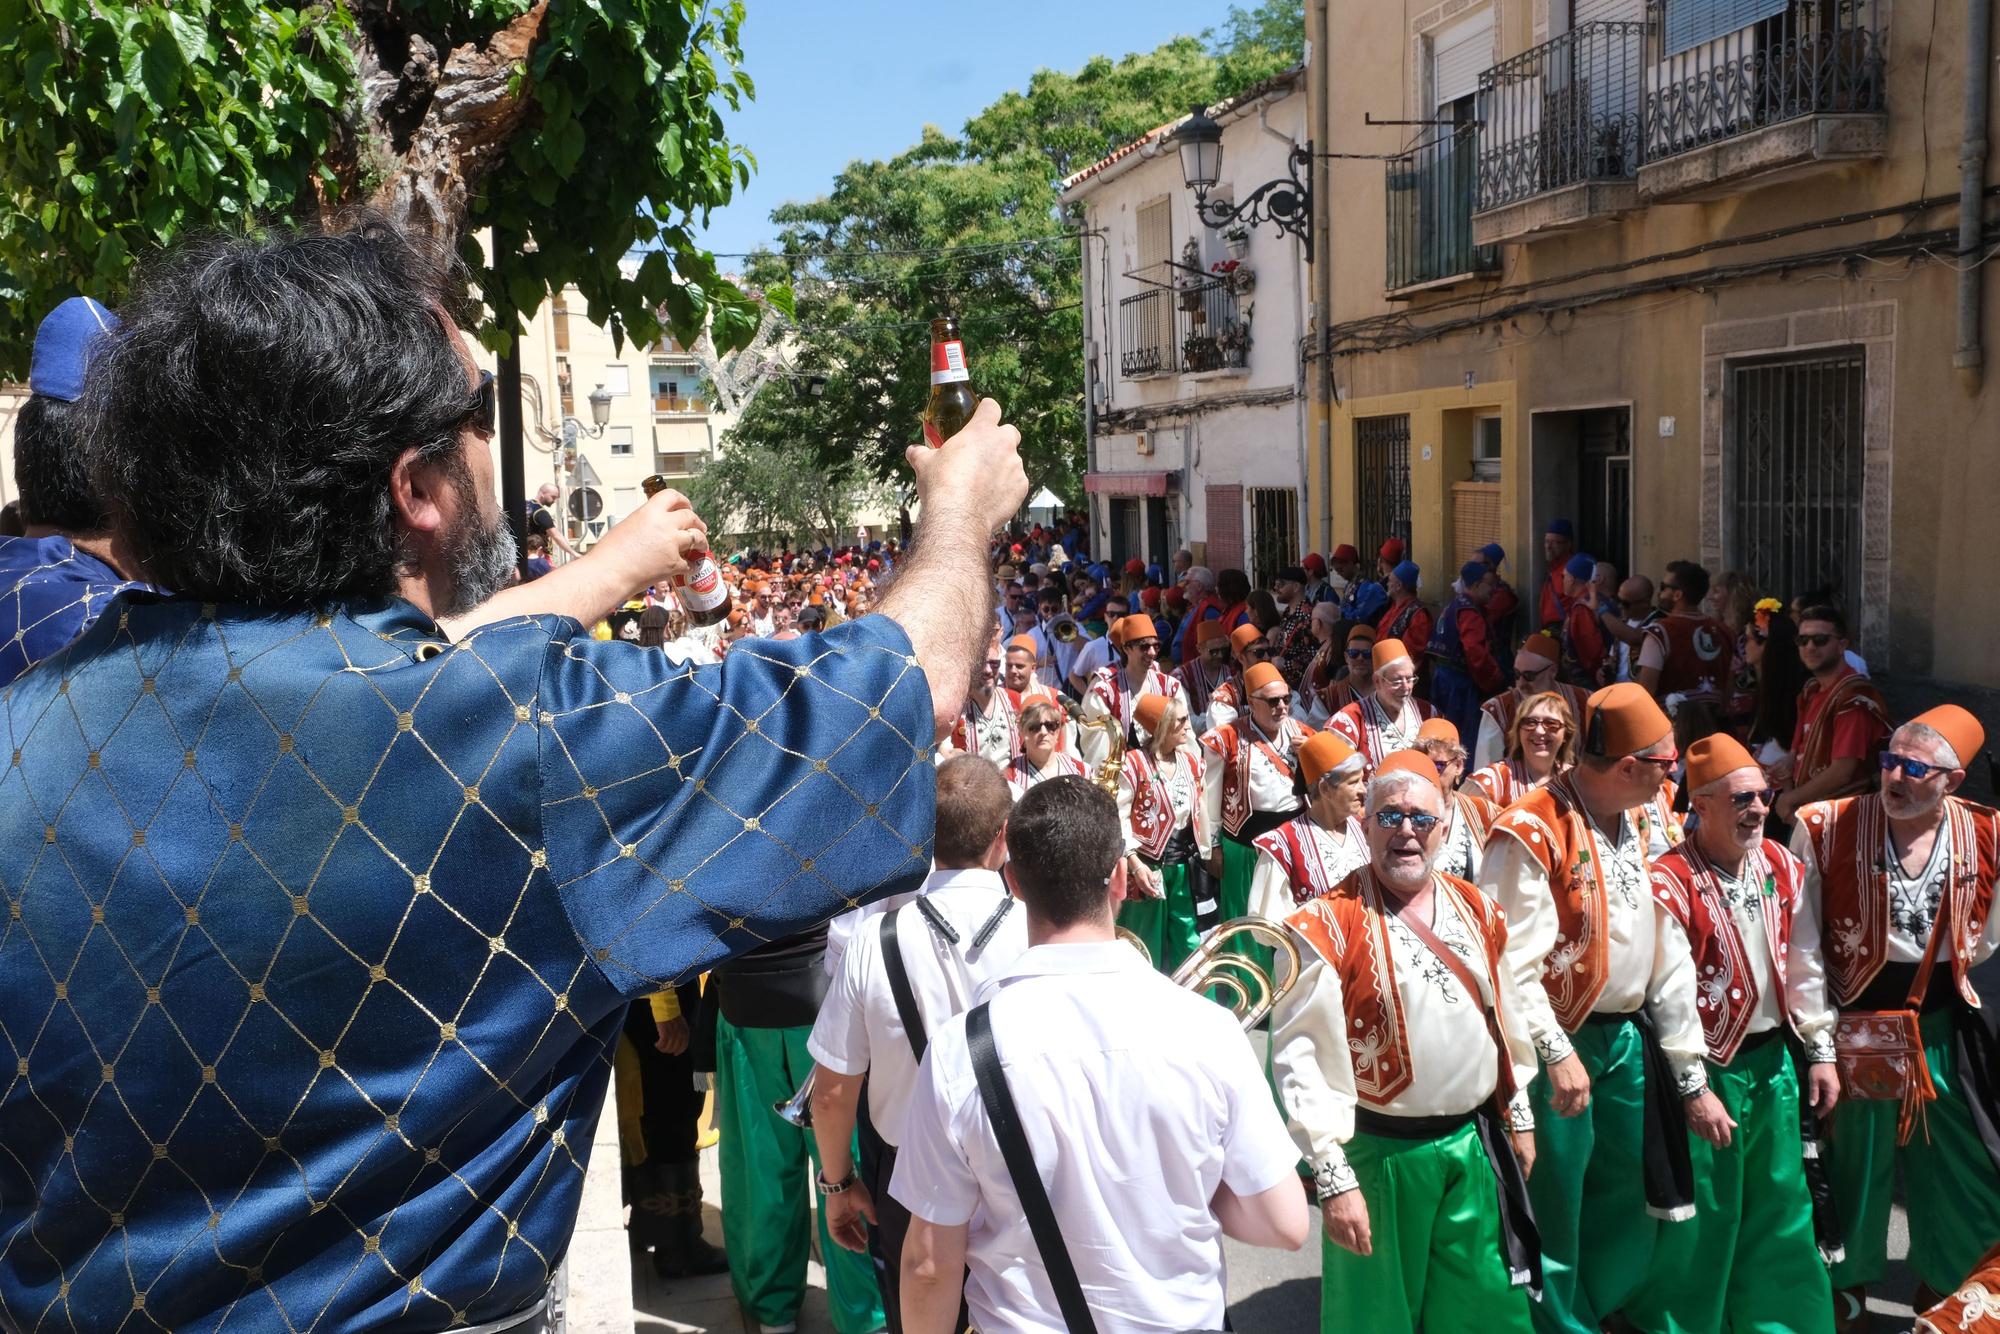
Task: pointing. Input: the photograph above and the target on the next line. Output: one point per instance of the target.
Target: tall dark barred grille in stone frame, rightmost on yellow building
(1797, 475)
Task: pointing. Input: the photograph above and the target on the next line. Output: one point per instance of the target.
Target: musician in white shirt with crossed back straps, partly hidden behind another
(961, 931)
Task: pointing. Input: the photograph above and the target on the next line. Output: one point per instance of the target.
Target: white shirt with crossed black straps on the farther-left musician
(859, 1029)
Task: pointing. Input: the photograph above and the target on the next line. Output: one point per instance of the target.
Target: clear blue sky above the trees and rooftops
(861, 81)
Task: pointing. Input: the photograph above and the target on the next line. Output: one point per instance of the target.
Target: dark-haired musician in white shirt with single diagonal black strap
(1143, 1107)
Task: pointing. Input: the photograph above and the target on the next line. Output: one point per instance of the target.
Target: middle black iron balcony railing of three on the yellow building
(1563, 115)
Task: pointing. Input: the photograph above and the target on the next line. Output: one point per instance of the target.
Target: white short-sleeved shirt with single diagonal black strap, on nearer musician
(1139, 1099)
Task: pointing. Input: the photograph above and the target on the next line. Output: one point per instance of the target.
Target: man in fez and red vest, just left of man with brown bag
(1749, 1261)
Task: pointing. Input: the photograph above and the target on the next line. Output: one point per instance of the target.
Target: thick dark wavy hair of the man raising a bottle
(247, 419)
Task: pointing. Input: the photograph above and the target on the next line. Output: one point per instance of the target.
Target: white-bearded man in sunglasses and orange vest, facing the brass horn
(1403, 1061)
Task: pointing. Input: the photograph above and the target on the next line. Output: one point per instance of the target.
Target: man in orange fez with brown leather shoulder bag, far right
(1903, 881)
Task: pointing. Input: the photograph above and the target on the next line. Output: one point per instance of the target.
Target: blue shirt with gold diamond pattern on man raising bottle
(321, 933)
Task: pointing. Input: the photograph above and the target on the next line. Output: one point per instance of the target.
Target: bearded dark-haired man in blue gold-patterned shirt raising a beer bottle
(319, 927)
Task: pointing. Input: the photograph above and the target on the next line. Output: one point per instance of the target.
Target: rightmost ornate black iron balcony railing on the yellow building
(1809, 59)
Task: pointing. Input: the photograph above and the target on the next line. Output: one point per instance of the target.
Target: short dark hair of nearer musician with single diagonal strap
(1063, 847)
